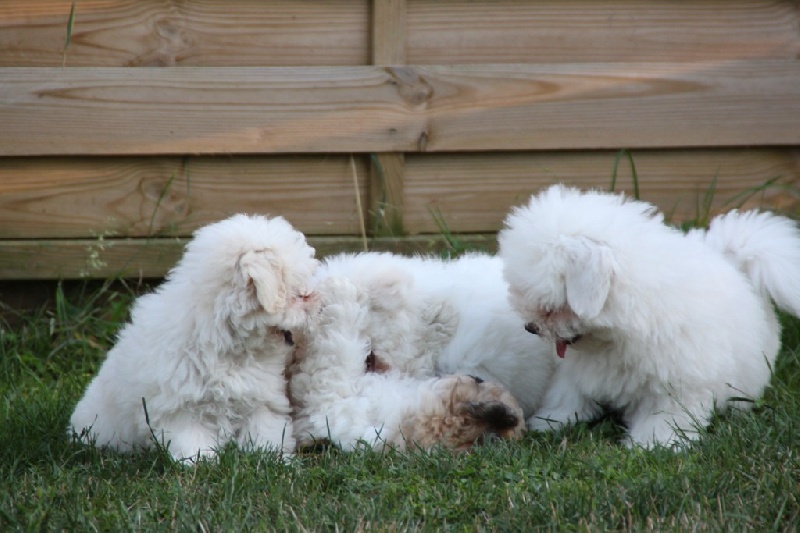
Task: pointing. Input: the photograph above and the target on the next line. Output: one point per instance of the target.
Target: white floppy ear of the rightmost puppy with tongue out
(588, 274)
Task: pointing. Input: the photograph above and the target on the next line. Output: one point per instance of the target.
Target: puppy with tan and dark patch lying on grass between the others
(341, 392)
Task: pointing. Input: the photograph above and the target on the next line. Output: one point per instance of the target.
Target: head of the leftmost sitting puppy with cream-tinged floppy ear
(250, 272)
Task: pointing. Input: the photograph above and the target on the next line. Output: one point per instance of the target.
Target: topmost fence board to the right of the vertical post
(521, 31)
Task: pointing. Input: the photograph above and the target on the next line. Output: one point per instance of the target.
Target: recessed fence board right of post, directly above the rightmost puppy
(474, 192)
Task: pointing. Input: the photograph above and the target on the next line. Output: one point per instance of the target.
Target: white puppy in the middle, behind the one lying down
(432, 316)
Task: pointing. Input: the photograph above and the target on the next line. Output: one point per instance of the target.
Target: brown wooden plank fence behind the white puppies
(130, 123)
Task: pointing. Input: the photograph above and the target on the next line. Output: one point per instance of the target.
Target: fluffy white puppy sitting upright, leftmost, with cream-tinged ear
(207, 351)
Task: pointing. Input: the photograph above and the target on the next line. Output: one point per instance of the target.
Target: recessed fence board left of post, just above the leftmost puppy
(136, 197)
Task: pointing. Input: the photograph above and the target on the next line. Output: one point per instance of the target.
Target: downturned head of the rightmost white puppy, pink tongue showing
(559, 281)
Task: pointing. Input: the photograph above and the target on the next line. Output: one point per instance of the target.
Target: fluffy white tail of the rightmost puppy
(766, 248)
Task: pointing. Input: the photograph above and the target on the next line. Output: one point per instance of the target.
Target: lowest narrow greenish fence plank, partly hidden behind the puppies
(152, 258)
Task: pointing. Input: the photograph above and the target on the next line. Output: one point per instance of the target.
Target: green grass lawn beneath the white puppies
(744, 474)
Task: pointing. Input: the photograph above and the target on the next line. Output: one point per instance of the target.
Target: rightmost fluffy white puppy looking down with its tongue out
(664, 327)
